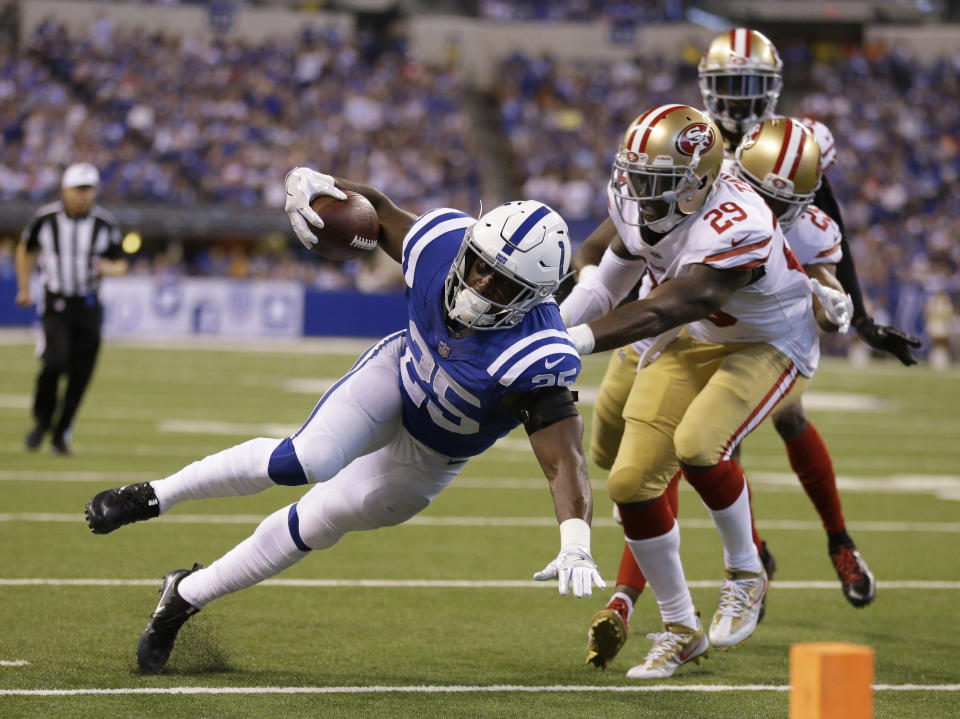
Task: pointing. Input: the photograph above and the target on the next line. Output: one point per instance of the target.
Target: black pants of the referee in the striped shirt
(71, 328)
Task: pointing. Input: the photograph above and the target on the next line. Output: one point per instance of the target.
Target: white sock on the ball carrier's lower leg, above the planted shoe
(265, 553)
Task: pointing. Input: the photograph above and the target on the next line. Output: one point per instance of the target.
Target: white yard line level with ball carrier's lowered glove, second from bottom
(449, 583)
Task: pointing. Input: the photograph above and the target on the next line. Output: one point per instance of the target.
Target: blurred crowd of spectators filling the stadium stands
(184, 120)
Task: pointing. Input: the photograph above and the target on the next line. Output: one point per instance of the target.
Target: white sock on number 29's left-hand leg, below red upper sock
(659, 560)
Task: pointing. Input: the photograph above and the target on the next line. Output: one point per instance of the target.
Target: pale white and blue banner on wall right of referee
(157, 307)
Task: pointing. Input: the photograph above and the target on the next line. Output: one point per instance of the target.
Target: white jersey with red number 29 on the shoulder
(735, 230)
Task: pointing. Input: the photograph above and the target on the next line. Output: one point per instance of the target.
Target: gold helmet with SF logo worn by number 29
(666, 167)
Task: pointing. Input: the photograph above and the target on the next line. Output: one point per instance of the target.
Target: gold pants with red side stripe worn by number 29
(694, 404)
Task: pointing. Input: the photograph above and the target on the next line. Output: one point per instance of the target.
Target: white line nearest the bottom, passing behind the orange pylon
(460, 689)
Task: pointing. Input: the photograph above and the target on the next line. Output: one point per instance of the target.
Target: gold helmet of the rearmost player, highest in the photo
(740, 79)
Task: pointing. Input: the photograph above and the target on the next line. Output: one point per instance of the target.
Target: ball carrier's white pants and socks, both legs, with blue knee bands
(368, 471)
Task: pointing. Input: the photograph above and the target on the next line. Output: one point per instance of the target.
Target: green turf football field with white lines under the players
(439, 617)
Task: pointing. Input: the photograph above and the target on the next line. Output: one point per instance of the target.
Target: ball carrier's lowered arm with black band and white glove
(558, 446)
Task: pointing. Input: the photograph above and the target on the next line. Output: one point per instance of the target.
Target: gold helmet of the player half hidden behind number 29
(781, 159)
